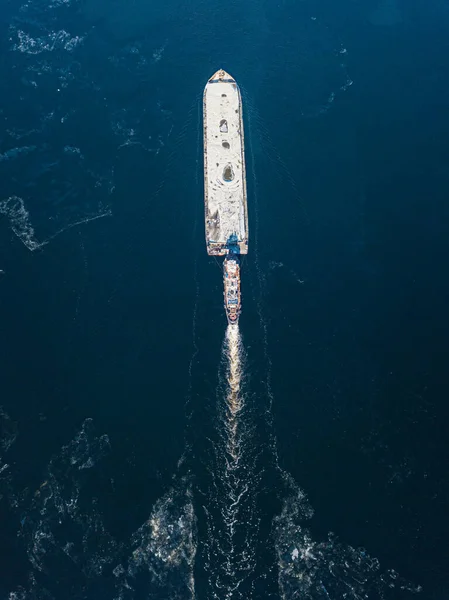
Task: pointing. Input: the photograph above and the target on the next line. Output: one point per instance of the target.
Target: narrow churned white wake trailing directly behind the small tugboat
(231, 514)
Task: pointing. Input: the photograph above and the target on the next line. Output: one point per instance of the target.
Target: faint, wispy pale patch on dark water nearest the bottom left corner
(55, 511)
